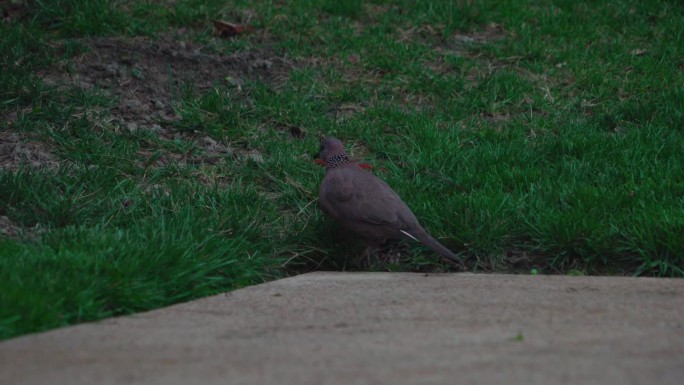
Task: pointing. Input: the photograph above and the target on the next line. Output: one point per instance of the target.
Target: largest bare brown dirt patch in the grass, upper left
(147, 75)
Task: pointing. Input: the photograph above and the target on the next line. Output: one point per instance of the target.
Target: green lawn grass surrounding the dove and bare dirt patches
(523, 134)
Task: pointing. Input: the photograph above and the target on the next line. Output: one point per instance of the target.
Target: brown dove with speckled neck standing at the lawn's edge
(367, 206)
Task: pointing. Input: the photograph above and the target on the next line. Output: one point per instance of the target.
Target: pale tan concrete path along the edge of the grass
(379, 328)
